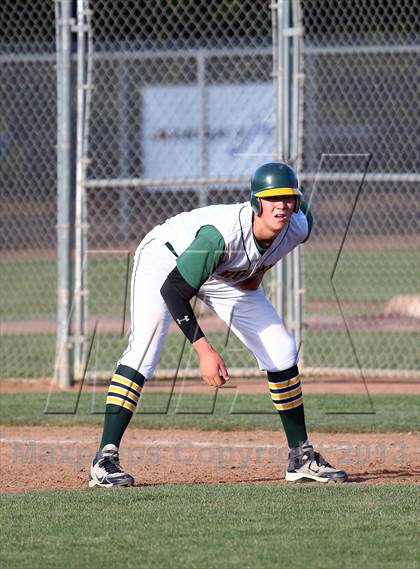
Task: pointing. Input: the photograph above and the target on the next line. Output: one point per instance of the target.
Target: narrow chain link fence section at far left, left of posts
(27, 188)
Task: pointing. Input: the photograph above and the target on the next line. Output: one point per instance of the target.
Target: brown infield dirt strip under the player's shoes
(43, 458)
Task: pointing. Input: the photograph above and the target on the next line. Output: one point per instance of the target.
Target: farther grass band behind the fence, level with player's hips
(30, 285)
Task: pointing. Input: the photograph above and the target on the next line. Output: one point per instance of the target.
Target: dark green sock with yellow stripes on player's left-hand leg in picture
(123, 394)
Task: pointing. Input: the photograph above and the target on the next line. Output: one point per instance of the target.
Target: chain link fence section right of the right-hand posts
(362, 264)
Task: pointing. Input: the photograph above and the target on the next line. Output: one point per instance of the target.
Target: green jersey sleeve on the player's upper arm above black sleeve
(202, 257)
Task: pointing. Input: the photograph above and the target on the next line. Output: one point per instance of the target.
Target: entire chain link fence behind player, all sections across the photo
(182, 109)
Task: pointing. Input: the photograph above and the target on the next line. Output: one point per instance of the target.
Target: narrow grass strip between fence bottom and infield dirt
(324, 412)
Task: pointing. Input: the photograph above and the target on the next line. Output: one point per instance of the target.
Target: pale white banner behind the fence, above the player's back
(239, 130)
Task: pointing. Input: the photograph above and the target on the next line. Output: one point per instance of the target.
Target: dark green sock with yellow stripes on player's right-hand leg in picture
(286, 394)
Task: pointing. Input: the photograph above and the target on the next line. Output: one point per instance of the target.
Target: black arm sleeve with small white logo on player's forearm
(177, 293)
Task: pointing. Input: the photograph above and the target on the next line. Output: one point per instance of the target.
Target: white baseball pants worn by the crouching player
(250, 314)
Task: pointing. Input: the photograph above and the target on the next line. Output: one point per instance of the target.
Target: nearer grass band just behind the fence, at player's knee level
(380, 350)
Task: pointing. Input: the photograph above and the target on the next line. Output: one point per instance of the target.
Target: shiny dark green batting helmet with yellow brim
(274, 179)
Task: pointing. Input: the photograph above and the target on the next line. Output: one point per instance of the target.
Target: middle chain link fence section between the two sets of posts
(182, 111)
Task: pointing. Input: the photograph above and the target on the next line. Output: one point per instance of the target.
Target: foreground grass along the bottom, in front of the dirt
(214, 526)
